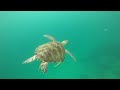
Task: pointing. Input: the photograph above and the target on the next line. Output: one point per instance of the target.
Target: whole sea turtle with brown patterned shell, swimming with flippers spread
(53, 51)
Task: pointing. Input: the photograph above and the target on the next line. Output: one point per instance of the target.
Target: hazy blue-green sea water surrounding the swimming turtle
(94, 39)
